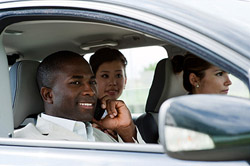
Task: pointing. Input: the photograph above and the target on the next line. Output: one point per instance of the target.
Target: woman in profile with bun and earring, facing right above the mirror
(201, 77)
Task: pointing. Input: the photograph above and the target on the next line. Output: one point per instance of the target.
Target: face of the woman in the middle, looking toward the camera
(111, 79)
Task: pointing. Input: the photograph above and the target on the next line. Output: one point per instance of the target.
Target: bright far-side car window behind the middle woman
(139, 74)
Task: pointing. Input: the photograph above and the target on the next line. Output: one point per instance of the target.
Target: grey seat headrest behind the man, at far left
(26, 99)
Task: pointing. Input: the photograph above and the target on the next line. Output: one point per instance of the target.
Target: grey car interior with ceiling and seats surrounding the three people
(26, 43)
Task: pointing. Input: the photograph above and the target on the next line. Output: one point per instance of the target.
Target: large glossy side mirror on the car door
(206, 127)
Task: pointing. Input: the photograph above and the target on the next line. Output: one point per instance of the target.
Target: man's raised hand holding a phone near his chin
(118, 119)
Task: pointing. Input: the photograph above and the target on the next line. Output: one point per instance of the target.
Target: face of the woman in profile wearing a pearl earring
(215, 81)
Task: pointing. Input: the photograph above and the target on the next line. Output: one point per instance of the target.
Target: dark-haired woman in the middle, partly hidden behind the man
(109, 67)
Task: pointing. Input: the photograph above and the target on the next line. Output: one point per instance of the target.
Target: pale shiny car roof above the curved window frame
(227, 21)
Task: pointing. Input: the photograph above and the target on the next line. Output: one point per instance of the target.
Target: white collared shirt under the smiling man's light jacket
(83, 129)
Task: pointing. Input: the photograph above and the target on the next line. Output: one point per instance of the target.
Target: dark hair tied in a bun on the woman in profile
(189, 63)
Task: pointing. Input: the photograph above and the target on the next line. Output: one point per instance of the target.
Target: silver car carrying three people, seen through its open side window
(217, 31)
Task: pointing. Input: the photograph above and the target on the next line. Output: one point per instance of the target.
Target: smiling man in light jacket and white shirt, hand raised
(68, 89)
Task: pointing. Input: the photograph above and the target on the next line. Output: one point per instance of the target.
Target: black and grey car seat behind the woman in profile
(165, 84)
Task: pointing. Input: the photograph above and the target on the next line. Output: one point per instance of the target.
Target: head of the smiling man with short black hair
(67, 86)
